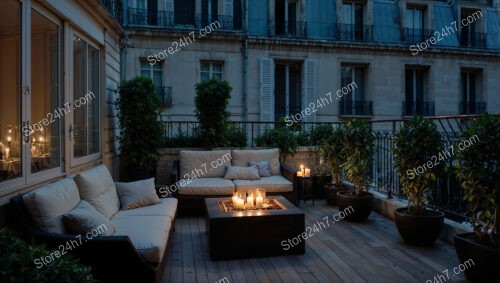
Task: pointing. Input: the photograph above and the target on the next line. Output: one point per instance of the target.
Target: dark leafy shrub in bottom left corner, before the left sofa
(17, 261)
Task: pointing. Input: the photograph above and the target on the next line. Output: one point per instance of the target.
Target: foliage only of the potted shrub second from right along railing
(416, 144)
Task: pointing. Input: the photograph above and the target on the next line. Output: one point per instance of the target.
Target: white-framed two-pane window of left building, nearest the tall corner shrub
(85, 131)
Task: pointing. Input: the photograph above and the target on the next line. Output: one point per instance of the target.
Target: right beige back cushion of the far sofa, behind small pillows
(243, 157)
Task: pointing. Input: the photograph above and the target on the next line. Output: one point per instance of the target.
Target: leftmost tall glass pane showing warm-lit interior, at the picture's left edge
(10, 90)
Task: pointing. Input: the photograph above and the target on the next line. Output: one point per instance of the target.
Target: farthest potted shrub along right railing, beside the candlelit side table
(331, 153)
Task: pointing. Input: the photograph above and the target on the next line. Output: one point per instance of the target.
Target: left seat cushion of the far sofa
(206, 187)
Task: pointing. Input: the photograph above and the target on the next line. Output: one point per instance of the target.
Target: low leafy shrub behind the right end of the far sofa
(281, 138)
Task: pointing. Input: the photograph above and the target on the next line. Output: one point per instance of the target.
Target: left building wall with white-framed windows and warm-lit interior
(59, 67)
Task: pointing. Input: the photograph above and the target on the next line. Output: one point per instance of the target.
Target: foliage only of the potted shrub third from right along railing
(358, 152)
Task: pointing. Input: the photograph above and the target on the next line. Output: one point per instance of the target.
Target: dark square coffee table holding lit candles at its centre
(246, 234)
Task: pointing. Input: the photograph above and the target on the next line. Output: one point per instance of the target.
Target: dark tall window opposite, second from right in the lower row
(415, 88)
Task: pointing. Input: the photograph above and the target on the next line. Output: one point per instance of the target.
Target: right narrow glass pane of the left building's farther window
(91, 100)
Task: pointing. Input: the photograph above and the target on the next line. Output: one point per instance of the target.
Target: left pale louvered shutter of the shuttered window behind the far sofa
(266, 90)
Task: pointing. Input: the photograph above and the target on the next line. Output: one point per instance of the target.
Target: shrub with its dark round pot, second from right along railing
(418, 159)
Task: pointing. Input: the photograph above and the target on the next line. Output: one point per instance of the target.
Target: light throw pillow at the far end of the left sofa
(137, 194)
